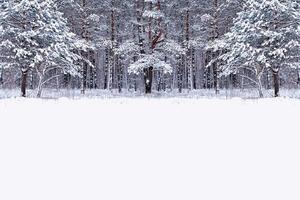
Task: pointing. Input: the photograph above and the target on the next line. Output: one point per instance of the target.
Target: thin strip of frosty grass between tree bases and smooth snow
(76, 93)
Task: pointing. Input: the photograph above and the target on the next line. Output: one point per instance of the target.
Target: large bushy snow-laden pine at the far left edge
(35, 36)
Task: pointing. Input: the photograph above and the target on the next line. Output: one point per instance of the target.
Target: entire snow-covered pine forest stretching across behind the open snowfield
(149, 46)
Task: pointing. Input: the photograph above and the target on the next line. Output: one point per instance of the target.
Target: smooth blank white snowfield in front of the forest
(149, 149)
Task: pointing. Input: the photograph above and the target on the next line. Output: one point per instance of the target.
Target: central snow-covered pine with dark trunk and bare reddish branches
(152, 50)
